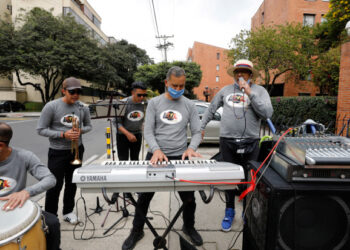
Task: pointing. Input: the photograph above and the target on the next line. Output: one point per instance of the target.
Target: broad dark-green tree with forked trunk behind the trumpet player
(54, 48)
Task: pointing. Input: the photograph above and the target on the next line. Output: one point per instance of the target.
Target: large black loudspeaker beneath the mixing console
(296, 216)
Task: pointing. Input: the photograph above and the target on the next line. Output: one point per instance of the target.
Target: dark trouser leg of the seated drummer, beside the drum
(53, 236)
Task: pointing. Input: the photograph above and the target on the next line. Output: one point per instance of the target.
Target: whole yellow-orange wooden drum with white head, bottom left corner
(22, 228)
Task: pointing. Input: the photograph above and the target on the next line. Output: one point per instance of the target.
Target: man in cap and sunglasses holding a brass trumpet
(64, 120)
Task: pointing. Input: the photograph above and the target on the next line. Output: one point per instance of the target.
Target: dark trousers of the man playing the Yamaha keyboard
(144, 200)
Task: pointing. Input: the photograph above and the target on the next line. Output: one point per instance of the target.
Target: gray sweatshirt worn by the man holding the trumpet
(56, 117)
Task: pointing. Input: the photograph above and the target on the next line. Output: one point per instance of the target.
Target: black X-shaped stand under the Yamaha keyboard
(159, 241)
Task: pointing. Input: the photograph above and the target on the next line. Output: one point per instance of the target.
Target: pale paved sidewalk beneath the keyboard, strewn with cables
(208, 222)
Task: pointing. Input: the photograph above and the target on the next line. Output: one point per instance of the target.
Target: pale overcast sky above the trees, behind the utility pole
(213, 22)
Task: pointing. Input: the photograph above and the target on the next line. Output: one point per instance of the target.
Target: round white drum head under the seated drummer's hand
(14, 223)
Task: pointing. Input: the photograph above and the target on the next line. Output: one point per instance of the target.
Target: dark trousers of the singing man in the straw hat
(231, 152)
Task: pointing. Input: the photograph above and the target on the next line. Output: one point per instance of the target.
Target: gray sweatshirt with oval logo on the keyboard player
(166, 125)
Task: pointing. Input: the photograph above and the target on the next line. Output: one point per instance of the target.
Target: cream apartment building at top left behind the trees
(83, 13)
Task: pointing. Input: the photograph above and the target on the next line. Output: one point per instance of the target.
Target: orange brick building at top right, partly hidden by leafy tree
(276, 12)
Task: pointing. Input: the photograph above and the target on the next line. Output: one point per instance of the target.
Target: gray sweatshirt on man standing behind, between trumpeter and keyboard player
(133, 118)
